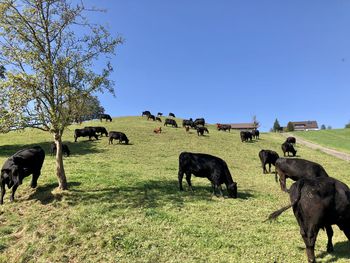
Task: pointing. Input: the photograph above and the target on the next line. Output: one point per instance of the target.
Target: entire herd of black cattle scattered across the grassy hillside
(318, 201)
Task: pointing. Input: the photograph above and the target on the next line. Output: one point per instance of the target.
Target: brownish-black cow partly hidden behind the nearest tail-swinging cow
(296, 169)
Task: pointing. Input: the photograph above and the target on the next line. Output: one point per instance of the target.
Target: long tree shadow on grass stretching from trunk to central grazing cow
(150, 194)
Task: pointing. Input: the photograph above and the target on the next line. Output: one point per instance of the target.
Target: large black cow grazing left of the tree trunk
(22, 164)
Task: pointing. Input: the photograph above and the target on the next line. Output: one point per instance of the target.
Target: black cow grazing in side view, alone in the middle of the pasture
(205, 165)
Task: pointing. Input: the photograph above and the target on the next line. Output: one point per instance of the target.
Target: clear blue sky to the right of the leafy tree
(227, 60)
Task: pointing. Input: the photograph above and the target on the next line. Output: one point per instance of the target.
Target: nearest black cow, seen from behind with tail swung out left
(319, 203)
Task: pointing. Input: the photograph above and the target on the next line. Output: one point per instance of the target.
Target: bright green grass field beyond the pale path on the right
(338, 139)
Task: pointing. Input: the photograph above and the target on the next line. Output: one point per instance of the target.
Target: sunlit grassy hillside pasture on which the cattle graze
(123, 202)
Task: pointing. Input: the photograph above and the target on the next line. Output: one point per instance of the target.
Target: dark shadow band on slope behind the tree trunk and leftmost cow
(76, 148)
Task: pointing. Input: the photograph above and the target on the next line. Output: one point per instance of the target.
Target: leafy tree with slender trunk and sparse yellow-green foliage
(49, 48)
